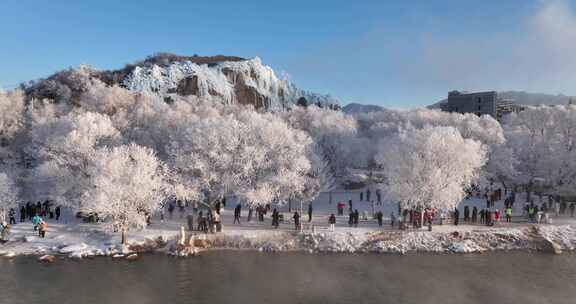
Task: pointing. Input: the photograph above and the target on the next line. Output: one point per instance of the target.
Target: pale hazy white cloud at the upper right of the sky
(540, 57)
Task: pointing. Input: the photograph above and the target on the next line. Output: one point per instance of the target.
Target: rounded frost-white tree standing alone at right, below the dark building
(430, 167)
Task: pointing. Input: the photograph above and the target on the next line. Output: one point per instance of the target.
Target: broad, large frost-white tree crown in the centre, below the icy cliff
(237, 151)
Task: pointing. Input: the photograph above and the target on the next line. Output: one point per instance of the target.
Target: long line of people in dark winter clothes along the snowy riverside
(206, 218)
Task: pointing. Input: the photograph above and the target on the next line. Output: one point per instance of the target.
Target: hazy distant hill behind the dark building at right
(524, 98)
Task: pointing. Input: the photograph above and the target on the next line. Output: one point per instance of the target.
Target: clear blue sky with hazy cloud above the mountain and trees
(391, 53)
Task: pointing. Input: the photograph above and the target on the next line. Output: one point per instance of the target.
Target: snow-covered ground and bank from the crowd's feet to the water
(73, 238)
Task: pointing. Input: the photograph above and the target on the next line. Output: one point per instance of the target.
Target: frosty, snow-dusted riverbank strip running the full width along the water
(84, 240)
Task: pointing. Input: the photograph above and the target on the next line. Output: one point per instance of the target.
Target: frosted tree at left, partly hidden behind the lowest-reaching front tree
(66, 147)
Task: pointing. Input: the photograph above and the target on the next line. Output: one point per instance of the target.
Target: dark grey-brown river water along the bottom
(251, 277)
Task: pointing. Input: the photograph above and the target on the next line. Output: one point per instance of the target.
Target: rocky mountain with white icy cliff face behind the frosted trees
(231, 79)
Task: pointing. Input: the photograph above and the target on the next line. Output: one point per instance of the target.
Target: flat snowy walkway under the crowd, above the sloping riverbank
(71, 235)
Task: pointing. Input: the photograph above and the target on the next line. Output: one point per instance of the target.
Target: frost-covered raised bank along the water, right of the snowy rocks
(546, 238)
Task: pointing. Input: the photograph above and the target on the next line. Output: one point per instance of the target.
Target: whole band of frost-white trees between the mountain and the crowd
(122, 154)
